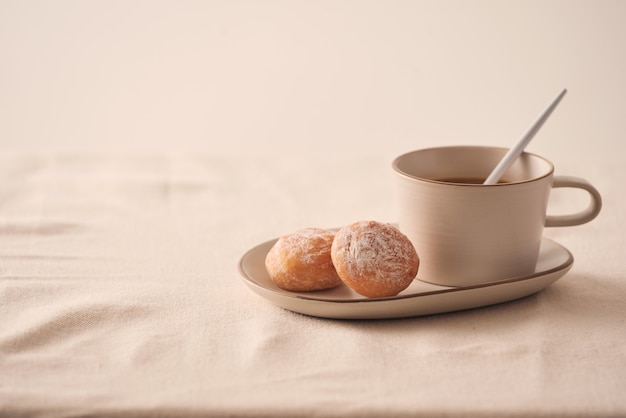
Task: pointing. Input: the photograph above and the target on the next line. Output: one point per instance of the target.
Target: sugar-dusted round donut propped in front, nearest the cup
(374, 259)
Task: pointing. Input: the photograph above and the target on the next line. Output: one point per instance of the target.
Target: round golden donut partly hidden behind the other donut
(301, 262)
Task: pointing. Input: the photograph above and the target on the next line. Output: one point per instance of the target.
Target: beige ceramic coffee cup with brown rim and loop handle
(467, 233)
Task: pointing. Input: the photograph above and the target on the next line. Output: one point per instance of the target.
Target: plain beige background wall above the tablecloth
(309, 77)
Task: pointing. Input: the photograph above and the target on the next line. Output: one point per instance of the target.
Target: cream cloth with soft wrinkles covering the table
(120, 296)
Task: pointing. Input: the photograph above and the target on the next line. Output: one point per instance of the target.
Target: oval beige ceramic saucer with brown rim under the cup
(420, 298)
